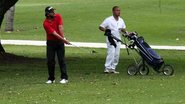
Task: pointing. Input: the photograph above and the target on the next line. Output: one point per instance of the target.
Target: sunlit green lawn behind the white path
(160, 26)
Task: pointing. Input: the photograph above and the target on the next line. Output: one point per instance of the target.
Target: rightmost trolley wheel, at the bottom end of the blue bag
(168, 70)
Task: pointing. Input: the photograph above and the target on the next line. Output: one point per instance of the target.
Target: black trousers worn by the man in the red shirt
(56, 47)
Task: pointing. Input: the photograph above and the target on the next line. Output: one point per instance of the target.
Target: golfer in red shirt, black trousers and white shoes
(53, 26)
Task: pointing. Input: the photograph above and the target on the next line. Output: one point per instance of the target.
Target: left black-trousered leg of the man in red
(51, 62)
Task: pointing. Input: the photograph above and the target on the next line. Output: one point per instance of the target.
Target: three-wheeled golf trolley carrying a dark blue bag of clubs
(148, 56)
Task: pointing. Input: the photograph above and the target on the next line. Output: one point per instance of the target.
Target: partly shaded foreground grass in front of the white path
(23, 83)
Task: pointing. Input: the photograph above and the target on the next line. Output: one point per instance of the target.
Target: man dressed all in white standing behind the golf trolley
(116, 24)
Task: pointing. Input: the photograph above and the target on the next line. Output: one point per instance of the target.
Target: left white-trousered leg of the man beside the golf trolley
(110, 56)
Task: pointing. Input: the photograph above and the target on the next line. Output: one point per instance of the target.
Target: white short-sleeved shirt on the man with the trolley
(114, 25)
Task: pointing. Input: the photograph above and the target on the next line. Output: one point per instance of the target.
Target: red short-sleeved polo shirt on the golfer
(53, 25)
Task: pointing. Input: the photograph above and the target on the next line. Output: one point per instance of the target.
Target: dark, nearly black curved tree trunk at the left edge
(4, 6)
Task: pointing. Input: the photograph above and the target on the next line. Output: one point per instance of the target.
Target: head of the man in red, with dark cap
(49, 12)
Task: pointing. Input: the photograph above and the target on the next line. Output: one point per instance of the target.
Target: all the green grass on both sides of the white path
(22, 78)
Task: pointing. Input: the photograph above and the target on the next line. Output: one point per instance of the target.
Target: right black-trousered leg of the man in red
(61, 61)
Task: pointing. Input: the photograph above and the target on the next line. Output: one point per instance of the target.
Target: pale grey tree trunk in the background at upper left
(10, 19)
